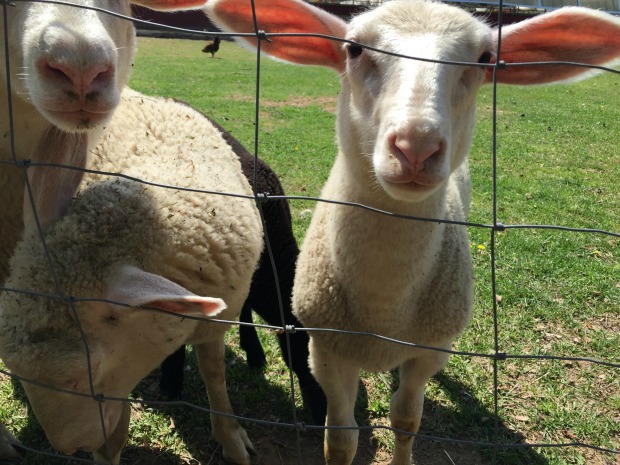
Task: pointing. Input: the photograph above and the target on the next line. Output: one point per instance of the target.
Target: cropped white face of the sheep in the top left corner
(70, 62)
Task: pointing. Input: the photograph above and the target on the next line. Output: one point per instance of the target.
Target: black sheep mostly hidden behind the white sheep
(263, 297)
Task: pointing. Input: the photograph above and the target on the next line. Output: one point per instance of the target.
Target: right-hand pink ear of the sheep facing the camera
(571, 34)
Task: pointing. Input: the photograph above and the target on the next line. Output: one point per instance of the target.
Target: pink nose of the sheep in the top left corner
(83, 82)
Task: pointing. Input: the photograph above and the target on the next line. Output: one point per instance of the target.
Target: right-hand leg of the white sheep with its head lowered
(226, 430)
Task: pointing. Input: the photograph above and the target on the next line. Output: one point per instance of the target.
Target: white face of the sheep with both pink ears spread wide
(405, 114)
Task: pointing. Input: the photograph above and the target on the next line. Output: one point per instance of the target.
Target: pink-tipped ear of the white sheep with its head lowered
(137, 288)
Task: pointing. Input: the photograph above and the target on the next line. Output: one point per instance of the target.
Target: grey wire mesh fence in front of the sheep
(496, 357)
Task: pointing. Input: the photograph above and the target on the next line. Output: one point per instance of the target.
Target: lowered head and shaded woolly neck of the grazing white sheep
(101, 340)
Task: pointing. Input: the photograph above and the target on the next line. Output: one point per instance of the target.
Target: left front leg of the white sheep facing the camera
(339, 380)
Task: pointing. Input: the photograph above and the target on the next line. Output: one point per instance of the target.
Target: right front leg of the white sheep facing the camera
(408, 400)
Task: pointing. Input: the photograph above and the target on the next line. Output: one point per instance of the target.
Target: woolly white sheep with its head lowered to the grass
(123, 241)
